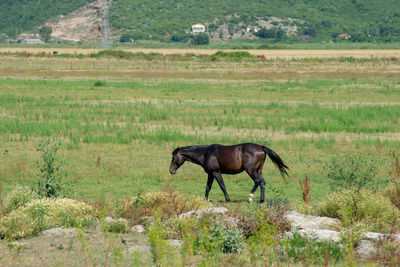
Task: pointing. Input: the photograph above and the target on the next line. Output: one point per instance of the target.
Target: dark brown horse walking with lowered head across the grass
(219, 159)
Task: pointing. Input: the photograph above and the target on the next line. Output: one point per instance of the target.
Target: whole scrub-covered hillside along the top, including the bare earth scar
(166, 20)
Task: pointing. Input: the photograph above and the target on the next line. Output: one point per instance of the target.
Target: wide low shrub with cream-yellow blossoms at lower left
(41, 214)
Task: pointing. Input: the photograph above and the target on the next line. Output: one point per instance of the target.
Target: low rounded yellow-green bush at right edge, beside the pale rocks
(363, 208)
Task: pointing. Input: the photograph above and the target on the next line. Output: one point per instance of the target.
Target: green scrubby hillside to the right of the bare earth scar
(323, 19)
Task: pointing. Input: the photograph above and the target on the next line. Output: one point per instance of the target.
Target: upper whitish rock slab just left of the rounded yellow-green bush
(301, 221)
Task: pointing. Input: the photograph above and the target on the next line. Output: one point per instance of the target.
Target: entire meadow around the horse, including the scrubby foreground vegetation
(119, 114)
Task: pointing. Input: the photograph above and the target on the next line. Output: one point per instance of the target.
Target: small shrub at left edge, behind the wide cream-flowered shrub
(18, 197)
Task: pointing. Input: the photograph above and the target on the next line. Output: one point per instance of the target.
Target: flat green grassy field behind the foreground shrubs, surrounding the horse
(120, 119)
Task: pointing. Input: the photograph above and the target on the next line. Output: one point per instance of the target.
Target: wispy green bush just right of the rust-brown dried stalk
(352, 171)
